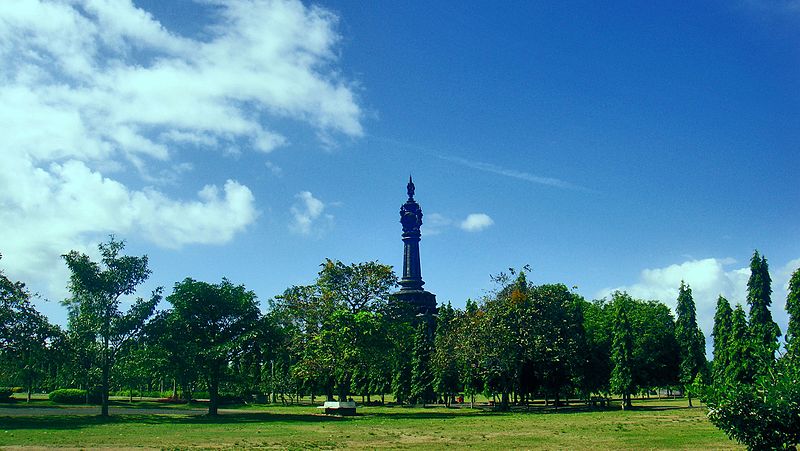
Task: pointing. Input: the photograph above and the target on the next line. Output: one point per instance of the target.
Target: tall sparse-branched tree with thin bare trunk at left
(97, 292)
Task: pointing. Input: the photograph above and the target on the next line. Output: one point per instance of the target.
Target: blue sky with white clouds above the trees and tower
(622, 146)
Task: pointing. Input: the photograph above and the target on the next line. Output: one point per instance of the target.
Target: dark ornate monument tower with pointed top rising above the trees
(411, 291)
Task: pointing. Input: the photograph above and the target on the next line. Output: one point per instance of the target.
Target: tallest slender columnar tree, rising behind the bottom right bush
(764, 332)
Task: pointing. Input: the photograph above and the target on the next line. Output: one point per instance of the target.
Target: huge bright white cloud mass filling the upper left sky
(94, 93)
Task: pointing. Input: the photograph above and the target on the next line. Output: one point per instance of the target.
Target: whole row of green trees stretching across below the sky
(345, 336)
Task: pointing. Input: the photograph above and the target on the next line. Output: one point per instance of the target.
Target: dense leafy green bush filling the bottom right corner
(764, 415)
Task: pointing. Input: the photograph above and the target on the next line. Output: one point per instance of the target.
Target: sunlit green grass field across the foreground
(650, 425)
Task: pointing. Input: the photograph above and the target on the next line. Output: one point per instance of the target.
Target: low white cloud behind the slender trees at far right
(708, 279)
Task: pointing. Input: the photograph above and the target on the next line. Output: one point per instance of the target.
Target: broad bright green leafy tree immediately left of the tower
(325, 317)
